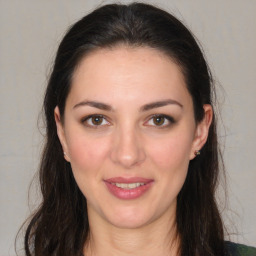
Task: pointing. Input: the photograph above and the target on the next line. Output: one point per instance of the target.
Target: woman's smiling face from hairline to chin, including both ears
(129, 133)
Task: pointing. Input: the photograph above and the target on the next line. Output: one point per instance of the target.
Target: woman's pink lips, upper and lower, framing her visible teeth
(123, 193)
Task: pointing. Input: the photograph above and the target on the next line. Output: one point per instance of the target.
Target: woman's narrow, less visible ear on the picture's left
(61, 133)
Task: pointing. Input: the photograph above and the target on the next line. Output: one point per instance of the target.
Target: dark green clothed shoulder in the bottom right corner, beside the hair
(235, 249)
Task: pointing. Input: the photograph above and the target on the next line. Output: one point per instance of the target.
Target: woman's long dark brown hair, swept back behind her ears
(60, 225)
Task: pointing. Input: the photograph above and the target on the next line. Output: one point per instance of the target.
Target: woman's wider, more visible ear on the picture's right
(202, 130)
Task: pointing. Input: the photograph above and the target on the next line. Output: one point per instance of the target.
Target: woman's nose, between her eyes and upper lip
(127, 150)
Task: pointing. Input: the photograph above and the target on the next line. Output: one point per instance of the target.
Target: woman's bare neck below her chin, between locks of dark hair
(156, 238)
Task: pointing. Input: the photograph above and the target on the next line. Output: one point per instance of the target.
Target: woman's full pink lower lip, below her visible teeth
(133, 193)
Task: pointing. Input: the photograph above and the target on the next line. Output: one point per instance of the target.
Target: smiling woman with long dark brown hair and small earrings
(131, 161)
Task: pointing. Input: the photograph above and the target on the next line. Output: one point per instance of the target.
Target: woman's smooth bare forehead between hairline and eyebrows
(128, 72)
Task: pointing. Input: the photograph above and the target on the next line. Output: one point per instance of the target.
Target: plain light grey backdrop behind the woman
(30, 31)
